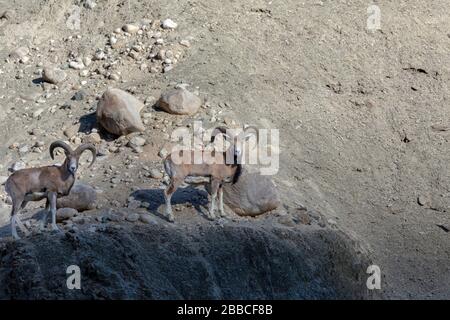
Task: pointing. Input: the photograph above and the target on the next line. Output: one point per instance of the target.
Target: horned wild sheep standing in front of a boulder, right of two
(219, 167)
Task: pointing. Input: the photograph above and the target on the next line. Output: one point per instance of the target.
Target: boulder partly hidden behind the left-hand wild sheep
(81, 197)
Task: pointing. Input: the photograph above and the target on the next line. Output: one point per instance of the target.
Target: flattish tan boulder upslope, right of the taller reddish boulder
(180, 101)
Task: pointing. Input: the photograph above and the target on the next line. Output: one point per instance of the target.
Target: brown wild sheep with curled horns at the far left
(49, 182)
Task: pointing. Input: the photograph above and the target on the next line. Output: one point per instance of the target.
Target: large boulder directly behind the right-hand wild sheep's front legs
(253, 194)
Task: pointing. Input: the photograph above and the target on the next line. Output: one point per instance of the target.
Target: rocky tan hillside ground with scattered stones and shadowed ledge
(363, 157)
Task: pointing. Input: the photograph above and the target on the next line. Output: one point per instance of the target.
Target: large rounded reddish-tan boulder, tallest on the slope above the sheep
(119, 112)
